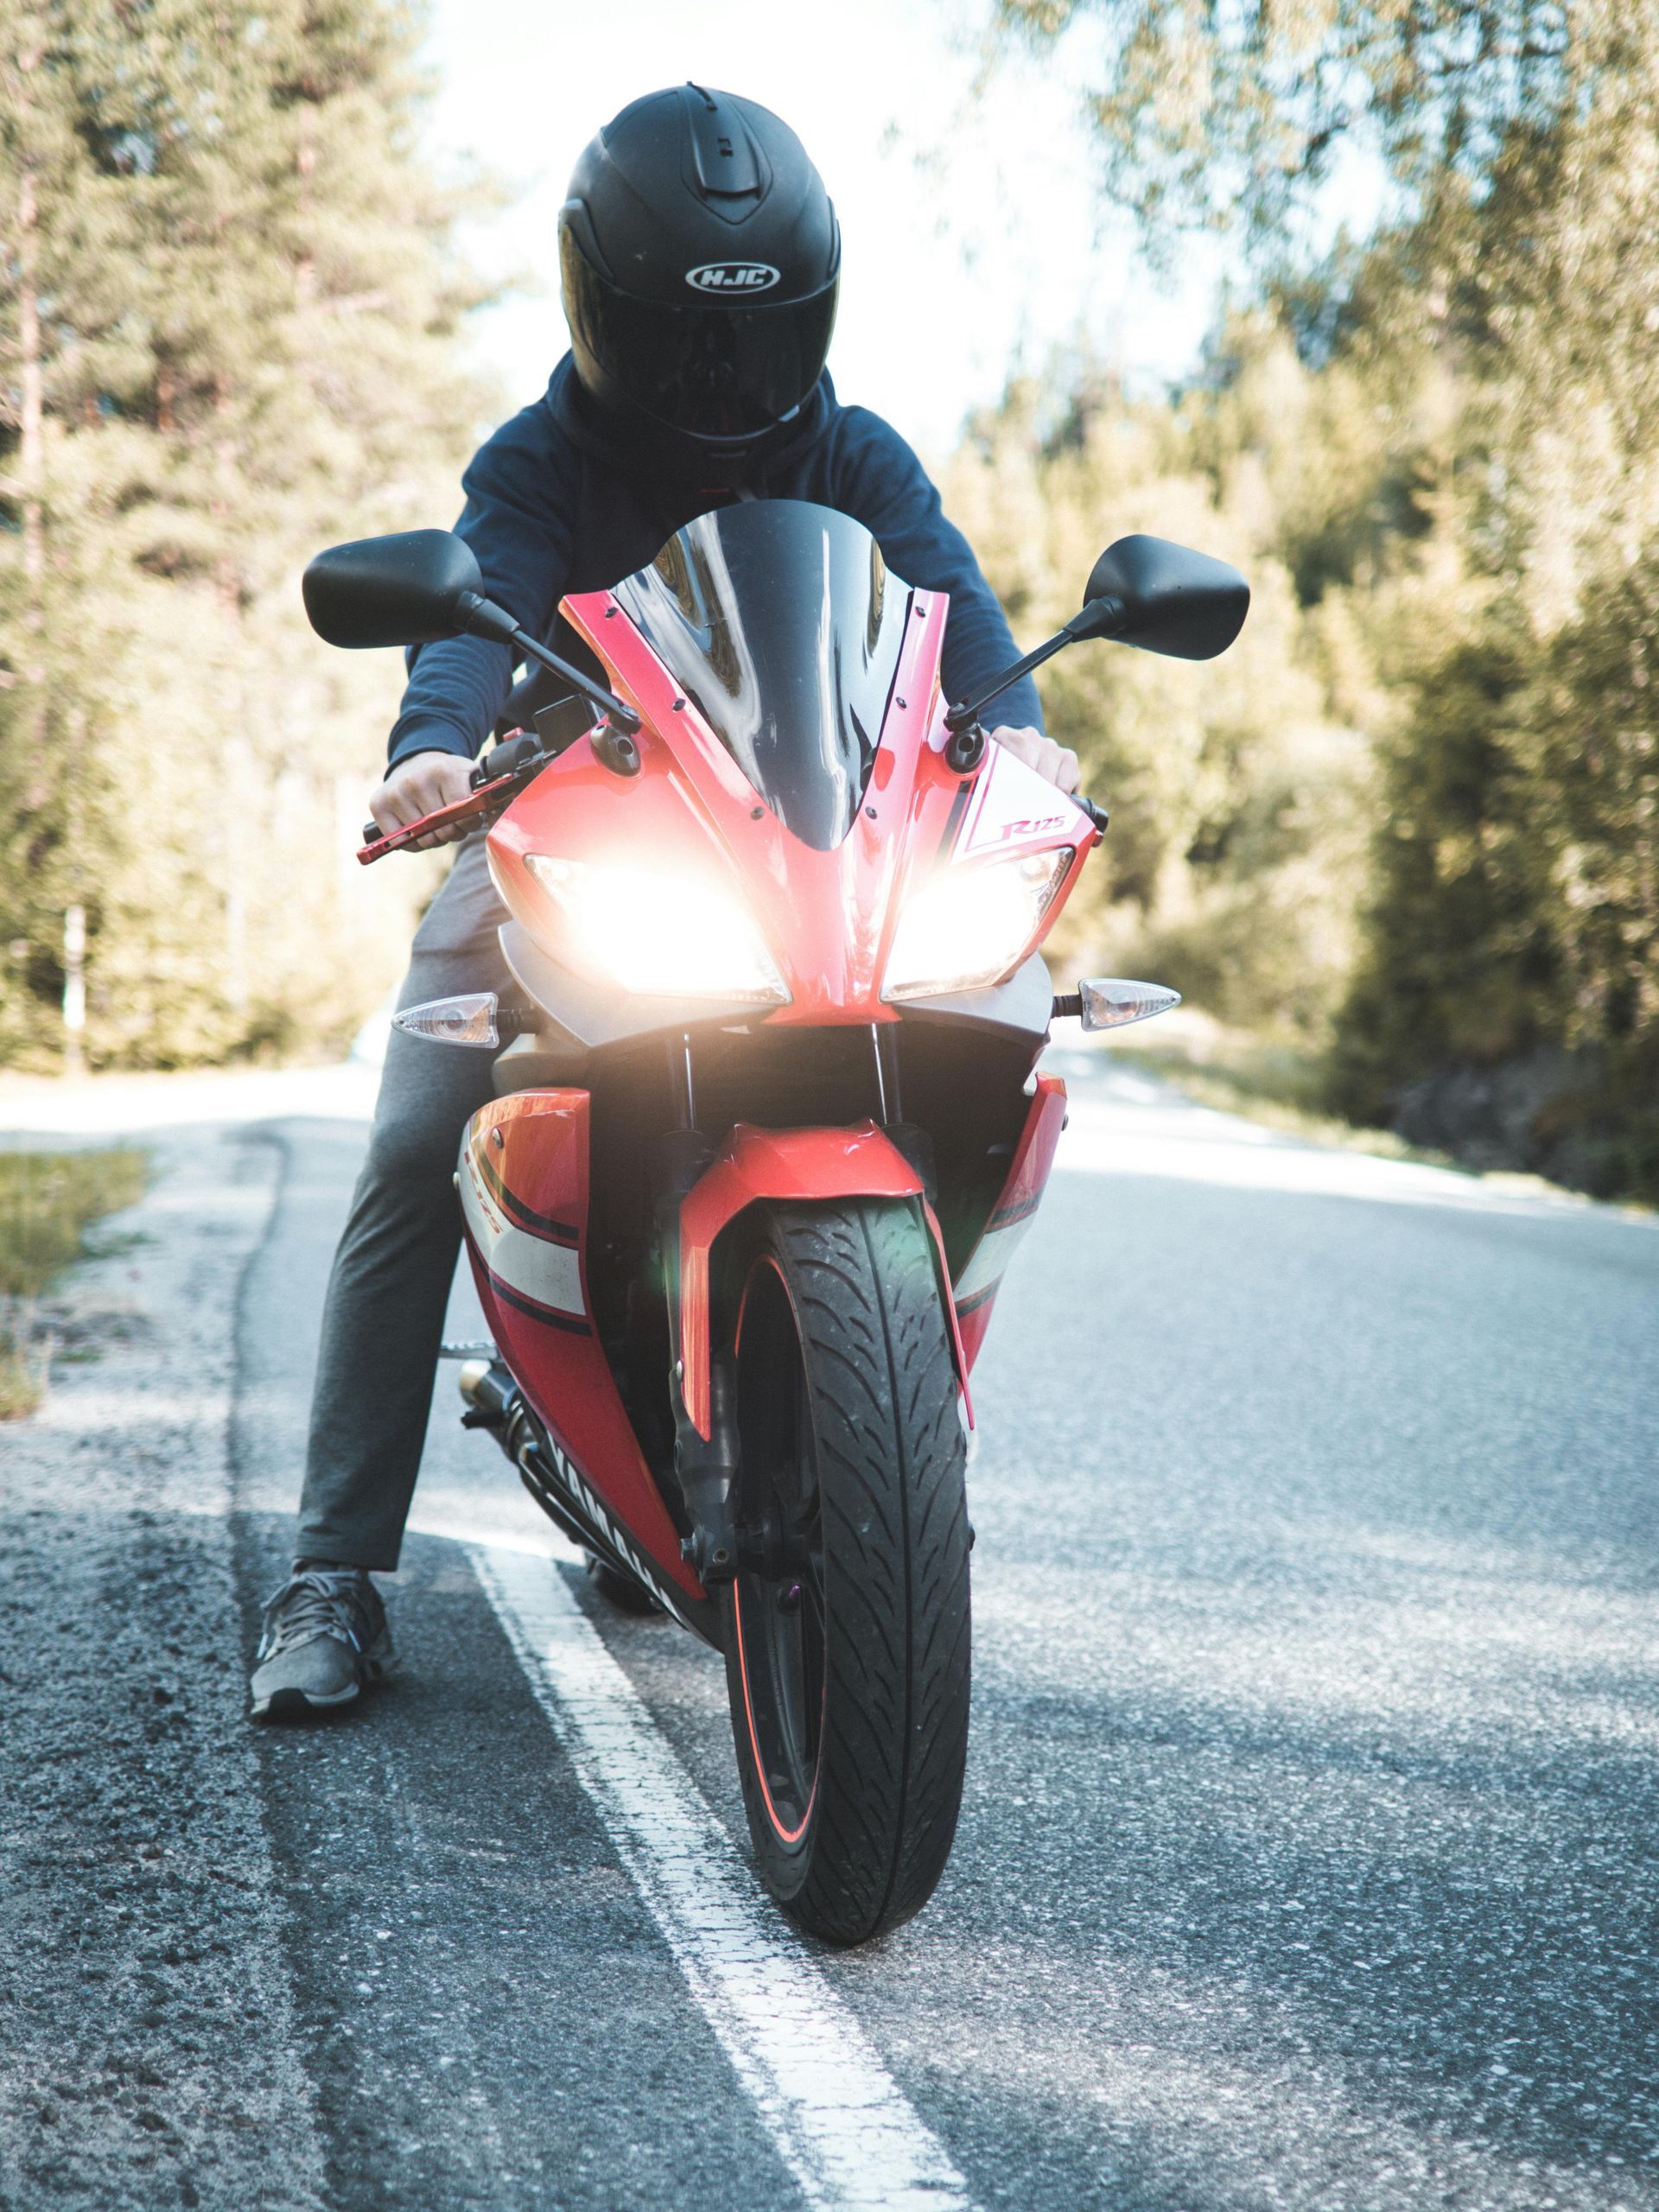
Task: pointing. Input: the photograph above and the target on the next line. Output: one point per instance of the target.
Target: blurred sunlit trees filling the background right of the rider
(1419, 828)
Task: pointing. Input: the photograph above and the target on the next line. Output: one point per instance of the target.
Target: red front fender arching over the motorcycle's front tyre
(802, 1165)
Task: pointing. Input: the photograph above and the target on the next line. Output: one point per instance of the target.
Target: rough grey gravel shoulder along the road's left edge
(147, 2052)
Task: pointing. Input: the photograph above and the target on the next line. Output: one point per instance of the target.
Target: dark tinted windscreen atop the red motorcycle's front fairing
(784, 625)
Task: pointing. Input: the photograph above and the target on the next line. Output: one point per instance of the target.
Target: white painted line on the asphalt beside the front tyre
(839, 2120)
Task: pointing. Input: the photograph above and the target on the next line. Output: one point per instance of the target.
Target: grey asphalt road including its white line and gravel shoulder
(1306, 1857)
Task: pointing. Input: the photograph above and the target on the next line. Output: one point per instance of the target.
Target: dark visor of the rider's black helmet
(711, 371)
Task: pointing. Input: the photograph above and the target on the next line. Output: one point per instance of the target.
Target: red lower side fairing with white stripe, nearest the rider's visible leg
(525, 1198)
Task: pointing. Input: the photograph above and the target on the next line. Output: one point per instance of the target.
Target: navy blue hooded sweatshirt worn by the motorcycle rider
(563, 501)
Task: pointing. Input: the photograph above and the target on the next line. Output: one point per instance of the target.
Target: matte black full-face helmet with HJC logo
(700, 262)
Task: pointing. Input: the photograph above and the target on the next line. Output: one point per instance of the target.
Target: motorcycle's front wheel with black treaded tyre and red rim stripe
(848, 1625)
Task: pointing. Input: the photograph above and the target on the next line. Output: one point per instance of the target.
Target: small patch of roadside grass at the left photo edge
(48, 1207)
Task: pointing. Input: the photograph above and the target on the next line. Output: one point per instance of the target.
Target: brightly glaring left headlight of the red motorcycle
(656, 932)
